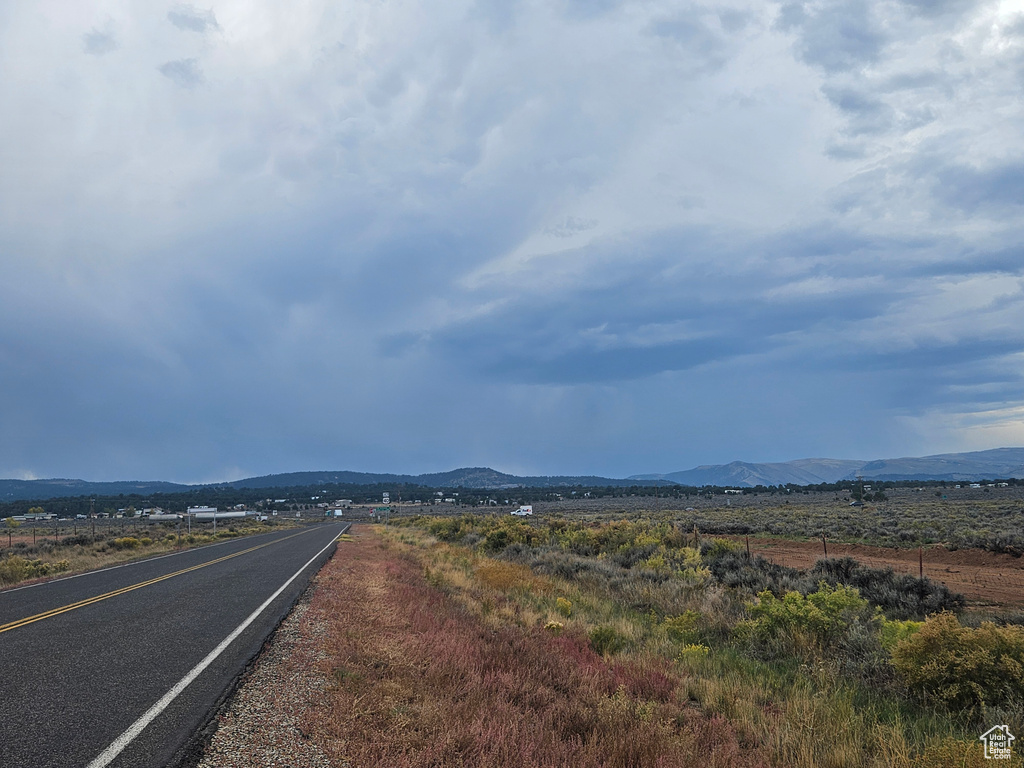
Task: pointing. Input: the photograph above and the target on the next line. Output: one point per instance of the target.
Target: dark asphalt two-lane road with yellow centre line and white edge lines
(124, 667)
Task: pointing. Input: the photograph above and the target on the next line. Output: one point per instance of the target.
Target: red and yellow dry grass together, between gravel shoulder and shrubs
(440, 656)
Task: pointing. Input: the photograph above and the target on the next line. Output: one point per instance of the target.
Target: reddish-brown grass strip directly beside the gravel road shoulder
(420, 681)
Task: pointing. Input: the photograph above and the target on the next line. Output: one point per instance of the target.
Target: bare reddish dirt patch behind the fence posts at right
(986, 579)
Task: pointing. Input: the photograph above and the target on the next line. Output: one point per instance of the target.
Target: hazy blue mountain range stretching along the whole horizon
(980, 465)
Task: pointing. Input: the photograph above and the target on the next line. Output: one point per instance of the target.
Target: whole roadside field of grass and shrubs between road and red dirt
(487, 641)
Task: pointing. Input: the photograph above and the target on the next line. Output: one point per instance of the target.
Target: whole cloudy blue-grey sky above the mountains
(551, 238)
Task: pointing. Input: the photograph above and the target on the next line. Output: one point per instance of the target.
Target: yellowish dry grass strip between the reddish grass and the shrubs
(810, 717)
